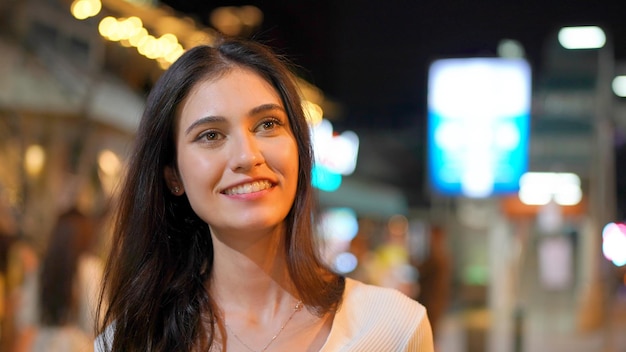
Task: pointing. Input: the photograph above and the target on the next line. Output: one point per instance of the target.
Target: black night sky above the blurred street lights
(373, 57)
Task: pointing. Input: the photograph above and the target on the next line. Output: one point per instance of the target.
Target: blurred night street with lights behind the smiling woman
(470, 154)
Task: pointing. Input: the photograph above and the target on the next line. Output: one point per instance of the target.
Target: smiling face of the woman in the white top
(237, 156)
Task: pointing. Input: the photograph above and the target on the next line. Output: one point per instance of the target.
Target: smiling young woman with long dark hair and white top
(214, 246)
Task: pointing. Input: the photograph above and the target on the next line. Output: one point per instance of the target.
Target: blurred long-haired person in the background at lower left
(58, 308)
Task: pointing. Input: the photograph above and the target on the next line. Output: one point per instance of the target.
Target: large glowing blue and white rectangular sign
(478, 125)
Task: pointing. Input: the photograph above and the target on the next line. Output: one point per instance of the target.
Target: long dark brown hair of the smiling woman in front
(156, 276)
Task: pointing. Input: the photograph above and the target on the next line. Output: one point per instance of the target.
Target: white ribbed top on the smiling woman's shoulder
(377, 319)
